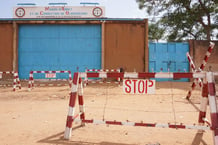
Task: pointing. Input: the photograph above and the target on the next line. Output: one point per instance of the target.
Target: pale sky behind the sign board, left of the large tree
(114, 8)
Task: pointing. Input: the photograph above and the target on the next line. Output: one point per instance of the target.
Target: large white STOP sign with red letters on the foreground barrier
(138, 86)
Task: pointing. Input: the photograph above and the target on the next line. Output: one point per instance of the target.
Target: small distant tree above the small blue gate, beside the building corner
(155, 32)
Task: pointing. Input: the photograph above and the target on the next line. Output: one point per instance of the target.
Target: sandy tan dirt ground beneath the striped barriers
(38, 117)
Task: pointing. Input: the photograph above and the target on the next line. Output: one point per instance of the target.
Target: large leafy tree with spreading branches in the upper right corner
(185, 18)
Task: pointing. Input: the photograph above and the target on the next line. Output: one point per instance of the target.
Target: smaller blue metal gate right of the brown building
(168, 57)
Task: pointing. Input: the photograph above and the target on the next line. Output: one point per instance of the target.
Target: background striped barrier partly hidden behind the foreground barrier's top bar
(87, 81)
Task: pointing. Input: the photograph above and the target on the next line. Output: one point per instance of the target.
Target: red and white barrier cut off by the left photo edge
(16, 80)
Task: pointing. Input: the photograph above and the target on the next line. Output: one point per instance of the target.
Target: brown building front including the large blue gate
(72, 44)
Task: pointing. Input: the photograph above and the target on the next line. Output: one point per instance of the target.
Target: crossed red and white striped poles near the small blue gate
(207, 55)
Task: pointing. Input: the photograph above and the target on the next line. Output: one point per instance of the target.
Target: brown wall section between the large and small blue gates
(125, 46)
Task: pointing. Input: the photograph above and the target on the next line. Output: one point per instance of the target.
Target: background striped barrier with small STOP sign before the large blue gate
(48, 74)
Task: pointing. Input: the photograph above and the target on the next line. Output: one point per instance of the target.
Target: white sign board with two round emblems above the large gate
(59, 12)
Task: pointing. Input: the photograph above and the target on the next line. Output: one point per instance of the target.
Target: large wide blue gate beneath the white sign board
(58, 47)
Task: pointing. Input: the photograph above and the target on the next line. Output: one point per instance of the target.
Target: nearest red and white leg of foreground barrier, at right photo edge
(213, 105)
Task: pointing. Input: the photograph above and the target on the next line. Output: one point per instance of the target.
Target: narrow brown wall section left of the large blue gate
(6, 47)
